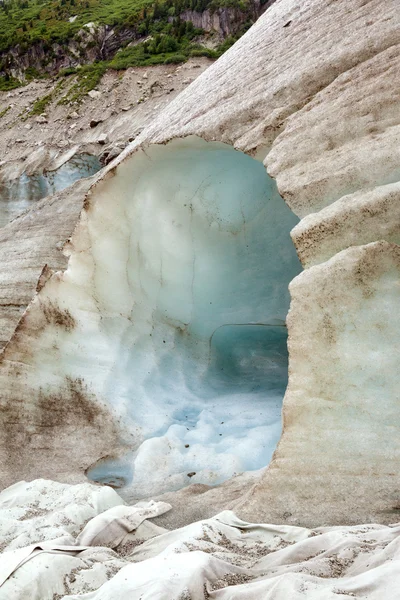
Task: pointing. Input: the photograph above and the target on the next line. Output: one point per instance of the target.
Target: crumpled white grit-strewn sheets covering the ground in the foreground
(64, 542)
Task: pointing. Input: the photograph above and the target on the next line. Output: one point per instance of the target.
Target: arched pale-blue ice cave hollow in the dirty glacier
(201, 365)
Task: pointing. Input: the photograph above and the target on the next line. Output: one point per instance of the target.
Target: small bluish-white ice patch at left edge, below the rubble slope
(19, 194)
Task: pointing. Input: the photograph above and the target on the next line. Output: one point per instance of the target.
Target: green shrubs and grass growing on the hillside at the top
(166, 38)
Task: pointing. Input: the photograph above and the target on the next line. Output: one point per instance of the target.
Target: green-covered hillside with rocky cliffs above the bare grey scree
(40, 38)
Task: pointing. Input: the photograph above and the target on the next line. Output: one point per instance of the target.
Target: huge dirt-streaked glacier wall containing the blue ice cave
(315, 102)
